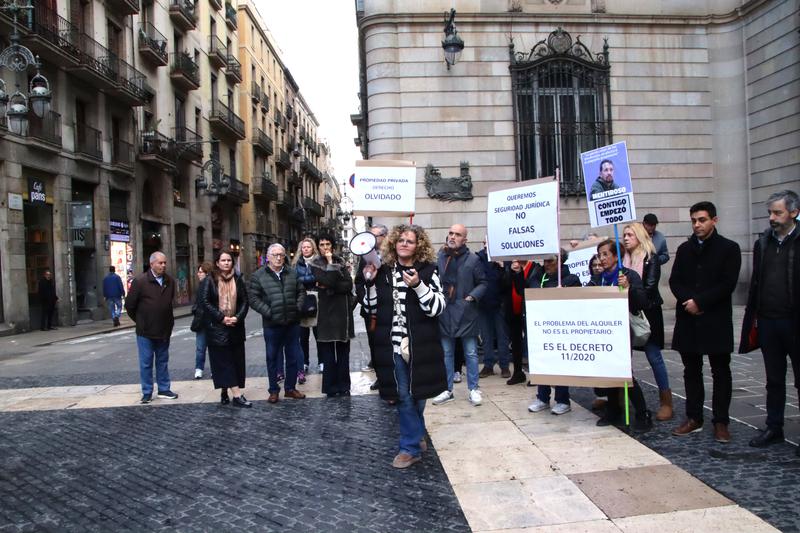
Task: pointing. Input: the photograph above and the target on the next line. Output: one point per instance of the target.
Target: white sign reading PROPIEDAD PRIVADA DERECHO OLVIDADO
(384, 188)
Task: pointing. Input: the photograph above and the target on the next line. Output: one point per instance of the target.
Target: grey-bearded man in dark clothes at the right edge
(773, 306)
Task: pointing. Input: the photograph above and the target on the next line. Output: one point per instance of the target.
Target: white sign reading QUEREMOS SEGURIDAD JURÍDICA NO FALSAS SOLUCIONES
(522, 220)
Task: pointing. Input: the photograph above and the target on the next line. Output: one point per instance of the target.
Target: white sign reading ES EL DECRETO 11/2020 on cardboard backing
(578, 336)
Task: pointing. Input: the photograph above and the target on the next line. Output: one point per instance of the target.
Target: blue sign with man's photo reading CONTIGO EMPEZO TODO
(609, 192)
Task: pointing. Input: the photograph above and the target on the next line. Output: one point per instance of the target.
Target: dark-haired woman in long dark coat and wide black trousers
(335, 288)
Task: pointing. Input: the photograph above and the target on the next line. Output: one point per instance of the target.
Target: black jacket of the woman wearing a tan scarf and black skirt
(217, 333)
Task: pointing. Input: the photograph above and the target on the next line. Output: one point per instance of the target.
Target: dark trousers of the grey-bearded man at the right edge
(777, 338)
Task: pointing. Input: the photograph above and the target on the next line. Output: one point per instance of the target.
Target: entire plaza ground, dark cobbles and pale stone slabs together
(77, 453)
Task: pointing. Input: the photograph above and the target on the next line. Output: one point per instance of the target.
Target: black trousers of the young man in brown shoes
(695, 391)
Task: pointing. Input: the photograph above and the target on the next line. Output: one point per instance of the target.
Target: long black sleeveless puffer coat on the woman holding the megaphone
(428, 376)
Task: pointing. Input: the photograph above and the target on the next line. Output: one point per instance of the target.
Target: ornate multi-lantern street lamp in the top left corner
(19, 58)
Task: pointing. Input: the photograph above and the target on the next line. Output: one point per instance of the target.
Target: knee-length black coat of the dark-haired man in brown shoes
(708, 274)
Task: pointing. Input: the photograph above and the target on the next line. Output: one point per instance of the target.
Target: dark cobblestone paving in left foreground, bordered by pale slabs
(317, 465)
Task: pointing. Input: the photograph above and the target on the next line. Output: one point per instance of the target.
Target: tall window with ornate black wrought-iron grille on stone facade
(562, 108)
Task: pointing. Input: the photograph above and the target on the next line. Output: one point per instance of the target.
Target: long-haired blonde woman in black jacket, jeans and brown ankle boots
(640, 256)
